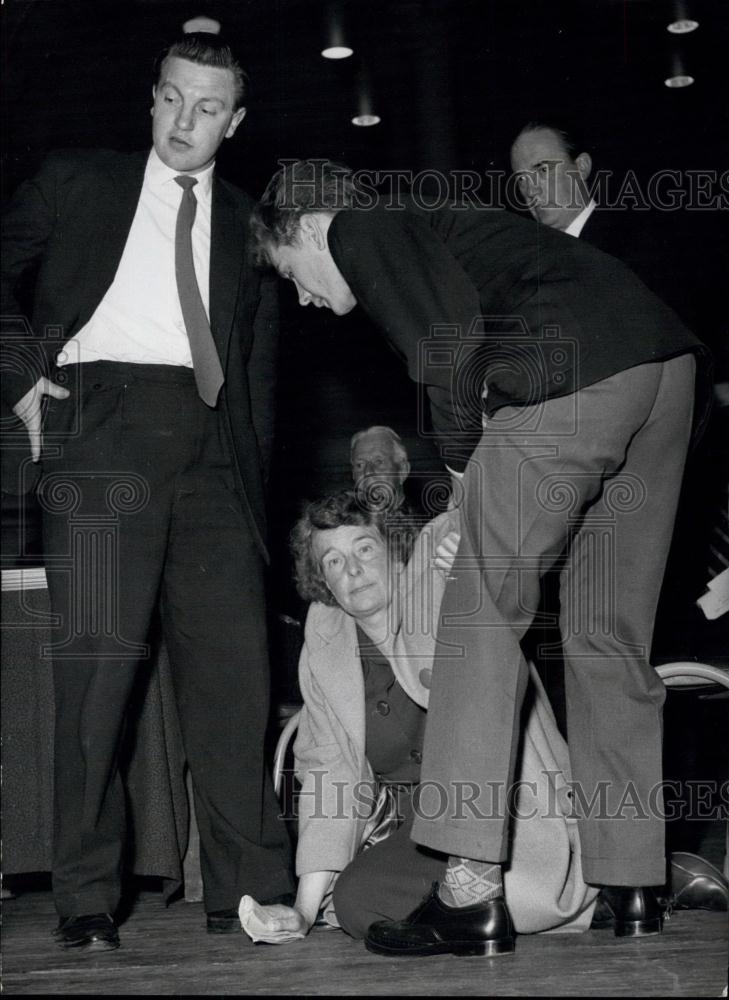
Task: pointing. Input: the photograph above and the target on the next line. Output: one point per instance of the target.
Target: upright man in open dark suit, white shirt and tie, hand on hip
(151, 359)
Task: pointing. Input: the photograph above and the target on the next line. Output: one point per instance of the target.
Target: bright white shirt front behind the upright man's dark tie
(139, 319)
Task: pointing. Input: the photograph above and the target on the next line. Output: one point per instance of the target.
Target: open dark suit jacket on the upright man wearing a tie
(72, 221)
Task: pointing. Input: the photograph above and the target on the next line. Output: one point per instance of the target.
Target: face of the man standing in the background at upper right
(550, 181)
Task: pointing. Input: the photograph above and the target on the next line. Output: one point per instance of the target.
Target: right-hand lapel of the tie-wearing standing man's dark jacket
(227, 247)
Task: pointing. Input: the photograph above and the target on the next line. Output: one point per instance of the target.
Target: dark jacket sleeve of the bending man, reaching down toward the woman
(410, 285)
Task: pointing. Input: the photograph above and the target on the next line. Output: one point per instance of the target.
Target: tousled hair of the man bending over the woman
(297, 188)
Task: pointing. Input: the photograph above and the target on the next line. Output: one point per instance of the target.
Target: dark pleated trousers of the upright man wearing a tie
(140, 510)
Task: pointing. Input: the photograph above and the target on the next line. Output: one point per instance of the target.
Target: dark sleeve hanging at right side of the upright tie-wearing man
(262, 370)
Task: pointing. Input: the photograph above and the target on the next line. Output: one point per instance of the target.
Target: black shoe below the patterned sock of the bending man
(436, 929)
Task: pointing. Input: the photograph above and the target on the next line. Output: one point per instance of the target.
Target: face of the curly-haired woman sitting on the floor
(356, 566)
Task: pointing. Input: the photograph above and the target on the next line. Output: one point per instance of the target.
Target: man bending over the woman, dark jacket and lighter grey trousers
(570, 410)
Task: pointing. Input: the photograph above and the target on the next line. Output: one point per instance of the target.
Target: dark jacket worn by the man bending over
(473, 296)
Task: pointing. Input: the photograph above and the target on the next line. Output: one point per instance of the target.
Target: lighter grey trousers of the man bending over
(596, 474)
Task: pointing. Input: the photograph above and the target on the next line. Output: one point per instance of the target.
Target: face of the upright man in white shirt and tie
(194, 110)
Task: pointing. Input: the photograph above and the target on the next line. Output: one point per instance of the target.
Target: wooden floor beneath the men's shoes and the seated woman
(165, 951)
